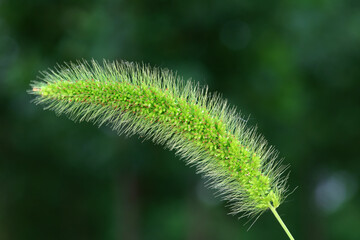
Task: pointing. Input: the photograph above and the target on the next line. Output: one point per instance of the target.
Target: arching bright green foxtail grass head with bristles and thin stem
(157, 104)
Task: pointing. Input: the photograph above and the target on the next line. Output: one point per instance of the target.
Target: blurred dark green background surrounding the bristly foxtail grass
(294, 66)
